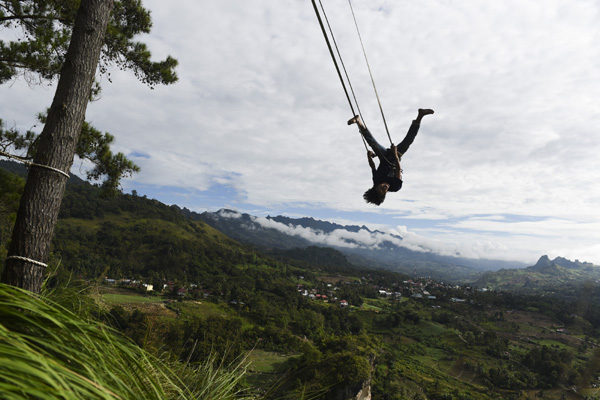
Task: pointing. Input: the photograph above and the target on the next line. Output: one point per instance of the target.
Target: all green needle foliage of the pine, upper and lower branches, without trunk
(44, 32)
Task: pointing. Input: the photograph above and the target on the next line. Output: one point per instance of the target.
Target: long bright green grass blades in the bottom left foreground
(48, 352)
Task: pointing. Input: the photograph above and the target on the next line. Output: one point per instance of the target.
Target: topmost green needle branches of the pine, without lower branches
(46, 28)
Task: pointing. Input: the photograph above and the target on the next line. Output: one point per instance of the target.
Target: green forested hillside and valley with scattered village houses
(311, 324)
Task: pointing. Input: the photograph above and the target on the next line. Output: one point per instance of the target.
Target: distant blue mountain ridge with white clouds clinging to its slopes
(361, 245)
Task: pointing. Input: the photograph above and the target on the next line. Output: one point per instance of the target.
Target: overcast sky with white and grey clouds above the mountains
(507, 167)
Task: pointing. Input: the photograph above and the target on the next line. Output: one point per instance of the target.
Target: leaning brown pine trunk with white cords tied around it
(40, 204)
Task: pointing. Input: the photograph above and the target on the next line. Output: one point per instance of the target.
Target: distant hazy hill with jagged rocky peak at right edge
(546, 274)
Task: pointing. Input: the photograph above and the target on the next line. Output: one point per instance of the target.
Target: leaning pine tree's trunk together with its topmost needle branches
(101, 33)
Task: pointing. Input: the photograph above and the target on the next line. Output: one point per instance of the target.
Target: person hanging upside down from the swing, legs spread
(388, 176)
